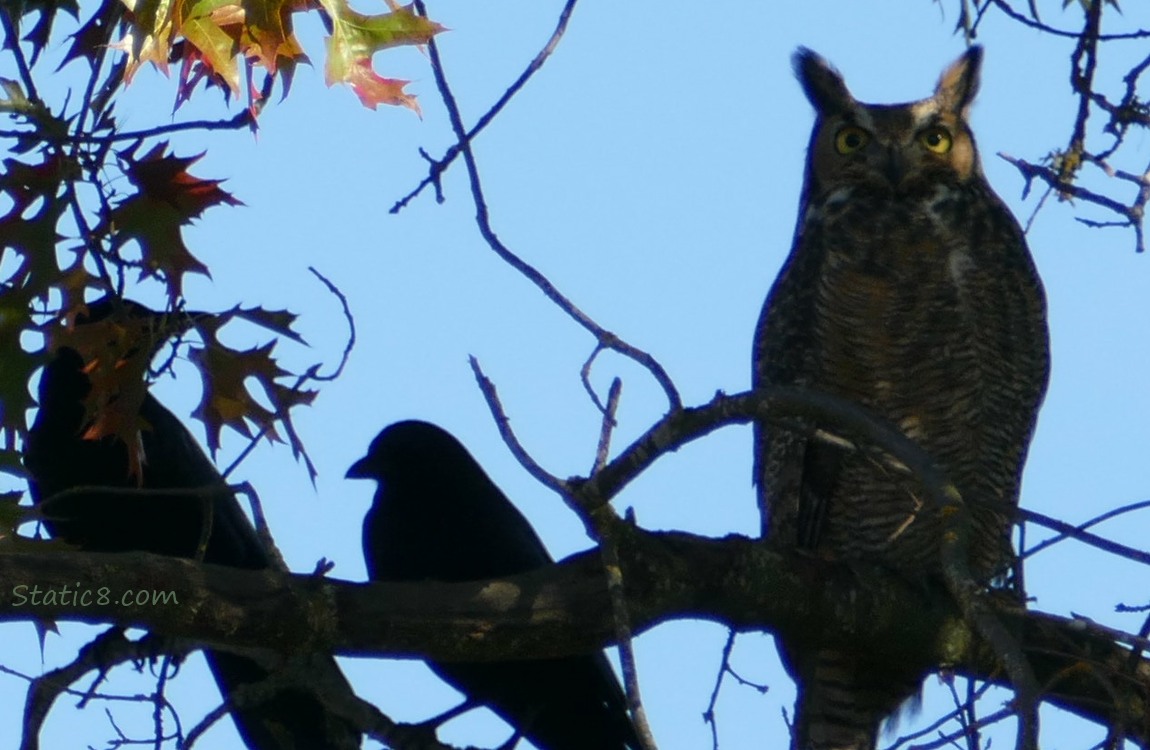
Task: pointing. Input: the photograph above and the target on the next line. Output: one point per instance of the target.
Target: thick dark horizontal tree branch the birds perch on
(566, 609)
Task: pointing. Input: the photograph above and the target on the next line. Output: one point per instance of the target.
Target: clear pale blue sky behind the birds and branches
(653, 172)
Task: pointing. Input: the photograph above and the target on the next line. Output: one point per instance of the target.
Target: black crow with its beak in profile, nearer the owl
(439, 517)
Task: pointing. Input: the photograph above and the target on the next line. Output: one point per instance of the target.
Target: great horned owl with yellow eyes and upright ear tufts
(909, 290)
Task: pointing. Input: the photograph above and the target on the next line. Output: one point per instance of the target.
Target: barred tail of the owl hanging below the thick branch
(845, 699)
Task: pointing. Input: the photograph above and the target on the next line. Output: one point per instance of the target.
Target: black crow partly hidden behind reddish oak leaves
(59, 460)
